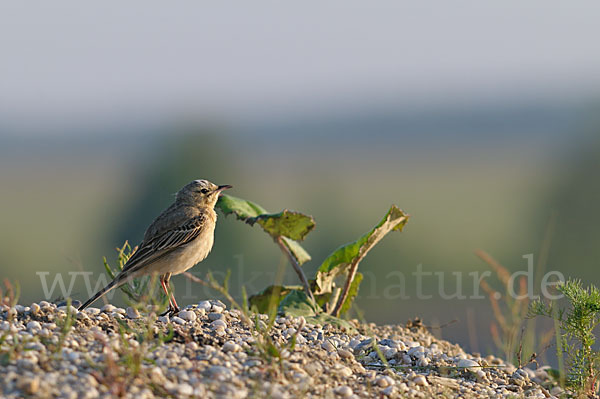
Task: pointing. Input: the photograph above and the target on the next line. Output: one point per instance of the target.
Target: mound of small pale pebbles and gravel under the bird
(212, 353)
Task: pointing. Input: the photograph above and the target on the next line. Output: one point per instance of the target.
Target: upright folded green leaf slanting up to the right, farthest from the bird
(352, 253)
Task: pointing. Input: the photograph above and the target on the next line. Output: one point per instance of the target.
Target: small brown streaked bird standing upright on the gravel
(178, 239)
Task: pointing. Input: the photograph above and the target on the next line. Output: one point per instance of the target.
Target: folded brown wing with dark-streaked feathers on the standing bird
(164, 243)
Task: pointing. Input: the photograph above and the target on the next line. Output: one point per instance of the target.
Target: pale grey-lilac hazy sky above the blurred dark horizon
(69, 61)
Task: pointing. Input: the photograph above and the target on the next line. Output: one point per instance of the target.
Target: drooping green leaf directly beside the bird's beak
(290, 225)
